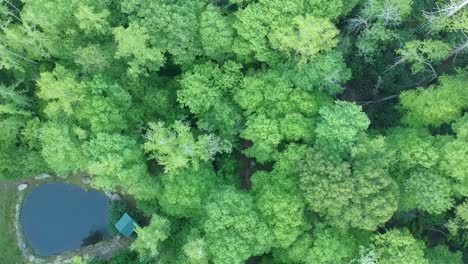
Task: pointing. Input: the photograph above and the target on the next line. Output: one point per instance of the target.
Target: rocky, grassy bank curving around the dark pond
(104, 249)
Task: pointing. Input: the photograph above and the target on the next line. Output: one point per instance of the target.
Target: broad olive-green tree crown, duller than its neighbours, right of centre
(358, 193)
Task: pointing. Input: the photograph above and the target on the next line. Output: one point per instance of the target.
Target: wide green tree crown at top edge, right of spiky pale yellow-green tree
(170, 26)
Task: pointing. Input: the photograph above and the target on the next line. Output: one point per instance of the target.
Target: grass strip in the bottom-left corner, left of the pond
(8, 248)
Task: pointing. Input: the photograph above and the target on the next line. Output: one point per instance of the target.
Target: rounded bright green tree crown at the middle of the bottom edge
(234, 231)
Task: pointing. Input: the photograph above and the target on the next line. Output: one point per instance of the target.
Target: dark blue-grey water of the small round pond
(58, 217)
